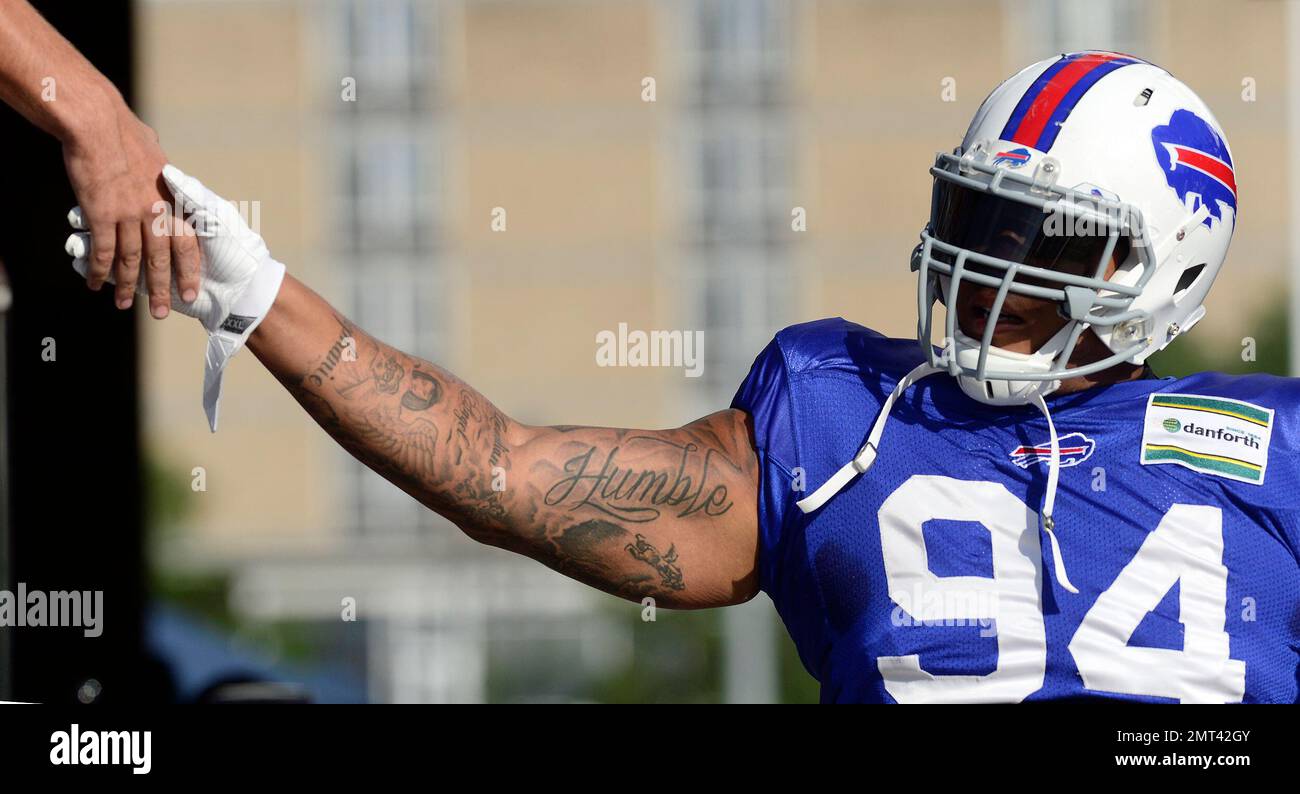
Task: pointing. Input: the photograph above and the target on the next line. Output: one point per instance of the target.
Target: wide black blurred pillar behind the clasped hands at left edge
(75, 487)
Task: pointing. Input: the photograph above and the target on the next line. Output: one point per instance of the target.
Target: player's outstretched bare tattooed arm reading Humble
(669, 514)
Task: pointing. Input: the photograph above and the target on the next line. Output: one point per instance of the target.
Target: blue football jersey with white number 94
(930, 578)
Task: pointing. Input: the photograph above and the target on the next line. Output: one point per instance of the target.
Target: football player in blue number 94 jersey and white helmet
(1028, 513)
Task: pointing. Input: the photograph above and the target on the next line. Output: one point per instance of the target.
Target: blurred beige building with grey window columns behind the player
(674, 214)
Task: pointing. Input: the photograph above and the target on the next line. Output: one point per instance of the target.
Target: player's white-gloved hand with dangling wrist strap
(240, 279)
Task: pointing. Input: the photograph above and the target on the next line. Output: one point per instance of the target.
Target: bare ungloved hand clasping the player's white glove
(118, 177)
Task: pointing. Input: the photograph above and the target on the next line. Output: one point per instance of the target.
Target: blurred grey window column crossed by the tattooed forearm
(387, 231)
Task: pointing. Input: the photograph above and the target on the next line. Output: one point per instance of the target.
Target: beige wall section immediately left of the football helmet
(872, 119)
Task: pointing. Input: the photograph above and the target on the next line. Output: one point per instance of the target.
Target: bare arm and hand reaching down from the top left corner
(114, 159)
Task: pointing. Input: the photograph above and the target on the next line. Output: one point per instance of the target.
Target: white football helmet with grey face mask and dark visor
(1078, 157)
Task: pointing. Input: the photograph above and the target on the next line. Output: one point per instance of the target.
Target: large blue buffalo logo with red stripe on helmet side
(1197, 164)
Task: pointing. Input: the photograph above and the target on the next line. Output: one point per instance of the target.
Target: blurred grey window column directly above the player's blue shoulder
(739, 180)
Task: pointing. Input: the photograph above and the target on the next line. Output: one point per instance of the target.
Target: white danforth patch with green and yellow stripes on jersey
(1208, 435)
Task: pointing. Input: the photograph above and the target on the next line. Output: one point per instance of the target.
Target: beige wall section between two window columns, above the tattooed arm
(549, 125)
